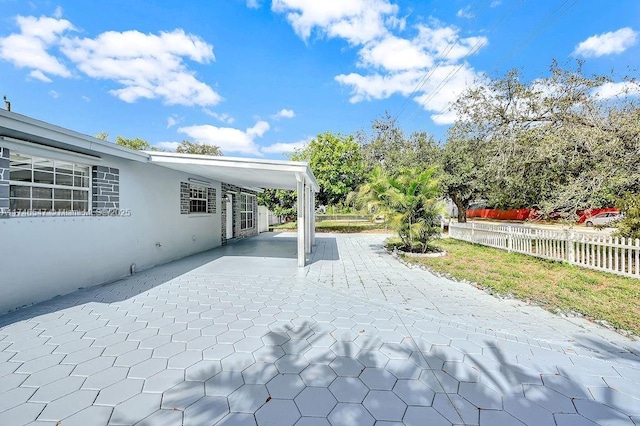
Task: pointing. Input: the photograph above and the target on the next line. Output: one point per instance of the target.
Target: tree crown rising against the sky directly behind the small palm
(388, 147)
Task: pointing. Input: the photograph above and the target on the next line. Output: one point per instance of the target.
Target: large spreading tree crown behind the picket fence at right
(551, 143)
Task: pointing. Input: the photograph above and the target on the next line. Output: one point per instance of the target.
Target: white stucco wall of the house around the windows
(42, 257)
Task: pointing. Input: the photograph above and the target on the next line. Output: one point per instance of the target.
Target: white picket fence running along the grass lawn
(605, 253)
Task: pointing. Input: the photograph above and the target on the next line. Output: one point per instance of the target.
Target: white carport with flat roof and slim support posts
(256, 173)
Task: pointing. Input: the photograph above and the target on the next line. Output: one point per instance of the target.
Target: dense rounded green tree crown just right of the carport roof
(336, 162)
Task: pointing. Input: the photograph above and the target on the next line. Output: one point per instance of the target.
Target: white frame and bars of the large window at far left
(54, 166)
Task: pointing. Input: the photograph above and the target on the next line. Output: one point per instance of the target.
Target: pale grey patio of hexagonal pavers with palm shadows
(241, 336)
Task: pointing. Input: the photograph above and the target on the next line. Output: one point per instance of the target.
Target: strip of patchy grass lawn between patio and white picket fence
(556, 286)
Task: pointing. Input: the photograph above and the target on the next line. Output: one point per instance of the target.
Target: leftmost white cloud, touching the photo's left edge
(29, 47)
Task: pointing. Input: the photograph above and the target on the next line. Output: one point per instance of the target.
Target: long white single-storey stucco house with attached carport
(77, 211)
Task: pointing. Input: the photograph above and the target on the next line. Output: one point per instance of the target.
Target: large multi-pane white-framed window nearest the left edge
(41, 184)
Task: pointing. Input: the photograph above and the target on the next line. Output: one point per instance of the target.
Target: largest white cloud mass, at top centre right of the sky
(391, 62)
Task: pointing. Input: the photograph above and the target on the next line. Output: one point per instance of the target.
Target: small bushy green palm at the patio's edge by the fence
(409, 204)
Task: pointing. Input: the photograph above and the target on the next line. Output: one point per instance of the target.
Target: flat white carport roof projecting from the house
(245, 172)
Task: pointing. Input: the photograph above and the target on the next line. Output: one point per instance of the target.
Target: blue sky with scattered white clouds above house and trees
(258, 78)
